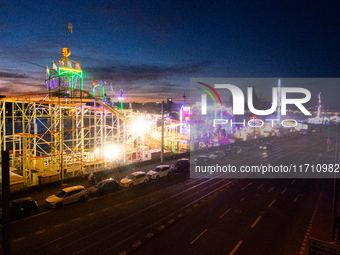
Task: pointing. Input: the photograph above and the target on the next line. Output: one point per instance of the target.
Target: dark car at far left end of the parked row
(23, 207)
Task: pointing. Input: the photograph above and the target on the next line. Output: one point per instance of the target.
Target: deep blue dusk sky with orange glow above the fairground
(151, 49)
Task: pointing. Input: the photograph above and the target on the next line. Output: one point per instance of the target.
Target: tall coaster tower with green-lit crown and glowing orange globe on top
(62, 79)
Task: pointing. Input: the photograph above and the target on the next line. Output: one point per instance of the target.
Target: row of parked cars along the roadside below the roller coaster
(27, 206)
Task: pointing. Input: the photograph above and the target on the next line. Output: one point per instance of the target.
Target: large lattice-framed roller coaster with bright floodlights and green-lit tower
(67, 131)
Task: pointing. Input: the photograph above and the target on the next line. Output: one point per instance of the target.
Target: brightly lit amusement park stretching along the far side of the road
(70, 132)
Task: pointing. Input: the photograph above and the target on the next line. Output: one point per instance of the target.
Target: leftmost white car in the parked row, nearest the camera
(67, 196)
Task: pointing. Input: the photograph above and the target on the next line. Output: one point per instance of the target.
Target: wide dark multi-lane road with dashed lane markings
(183, 215)
